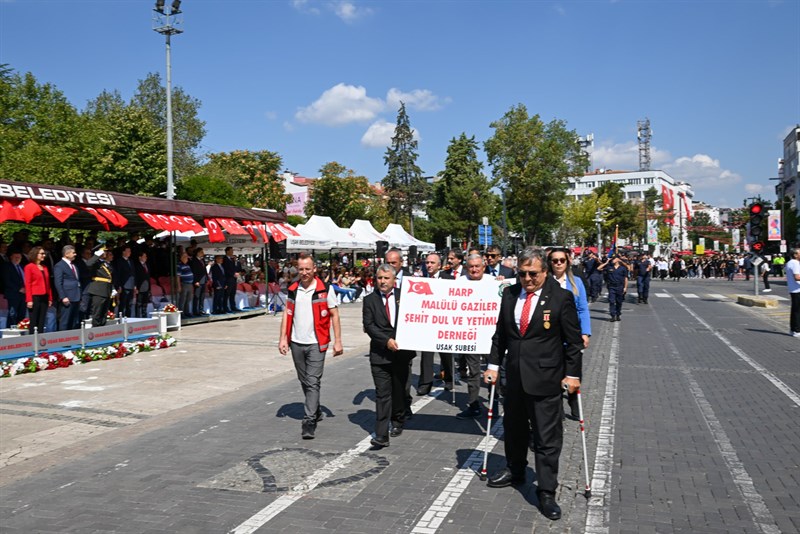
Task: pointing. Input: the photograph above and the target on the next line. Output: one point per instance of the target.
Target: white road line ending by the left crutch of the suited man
(446, 500)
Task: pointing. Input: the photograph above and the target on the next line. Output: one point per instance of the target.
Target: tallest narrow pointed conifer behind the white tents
(403, 184)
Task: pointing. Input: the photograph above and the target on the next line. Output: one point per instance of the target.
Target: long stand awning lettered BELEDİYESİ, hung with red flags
(68, 207)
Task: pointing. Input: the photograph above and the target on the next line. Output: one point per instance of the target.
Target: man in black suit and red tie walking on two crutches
(538, 337)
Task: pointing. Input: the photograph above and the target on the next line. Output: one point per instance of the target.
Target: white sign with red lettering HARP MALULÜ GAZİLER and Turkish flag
(448, 315)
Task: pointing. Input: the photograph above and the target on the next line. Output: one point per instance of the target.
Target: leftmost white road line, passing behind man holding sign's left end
(263, 516)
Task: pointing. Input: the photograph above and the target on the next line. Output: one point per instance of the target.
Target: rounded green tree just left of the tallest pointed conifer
(340, 195)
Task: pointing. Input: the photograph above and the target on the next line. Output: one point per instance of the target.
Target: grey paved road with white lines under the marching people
(691, 408)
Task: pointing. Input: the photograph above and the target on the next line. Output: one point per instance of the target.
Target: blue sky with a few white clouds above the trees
(319, 81)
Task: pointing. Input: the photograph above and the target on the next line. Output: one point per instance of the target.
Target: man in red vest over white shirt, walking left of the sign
(311, 310)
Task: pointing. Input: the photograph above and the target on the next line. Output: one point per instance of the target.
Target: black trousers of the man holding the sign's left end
(390, 393)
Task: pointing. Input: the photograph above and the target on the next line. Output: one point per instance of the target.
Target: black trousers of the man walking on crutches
(542, 414)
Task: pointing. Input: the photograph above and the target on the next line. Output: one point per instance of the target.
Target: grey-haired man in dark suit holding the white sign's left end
(389, 364)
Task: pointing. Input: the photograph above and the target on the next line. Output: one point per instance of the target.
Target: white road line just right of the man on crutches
(597, 513)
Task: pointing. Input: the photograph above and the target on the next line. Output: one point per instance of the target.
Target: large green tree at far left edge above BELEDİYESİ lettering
(41, 133)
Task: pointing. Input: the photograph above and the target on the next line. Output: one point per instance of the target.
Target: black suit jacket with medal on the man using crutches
(545, 354)
